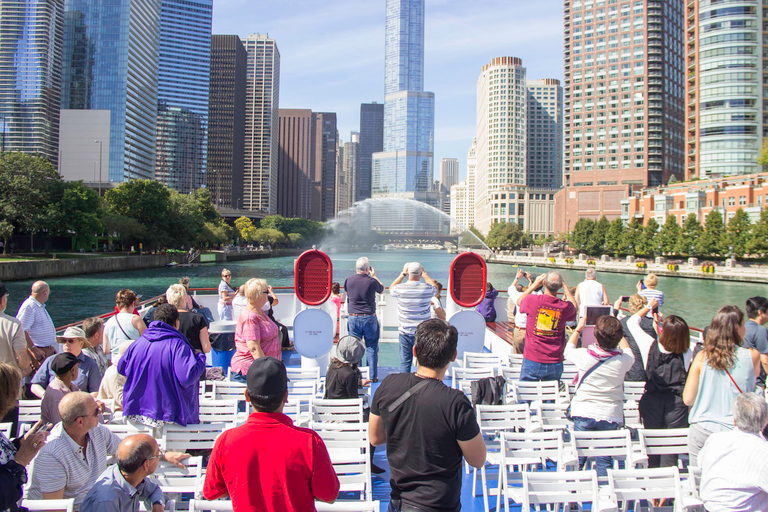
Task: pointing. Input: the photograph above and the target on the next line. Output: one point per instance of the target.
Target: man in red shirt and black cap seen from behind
(268, 464)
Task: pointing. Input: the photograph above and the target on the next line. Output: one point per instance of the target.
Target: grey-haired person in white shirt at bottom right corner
(734, 464)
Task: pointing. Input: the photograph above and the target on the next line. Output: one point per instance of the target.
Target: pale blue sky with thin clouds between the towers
(332, 54)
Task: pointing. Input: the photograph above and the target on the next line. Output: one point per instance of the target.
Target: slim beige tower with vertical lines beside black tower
(261, 119)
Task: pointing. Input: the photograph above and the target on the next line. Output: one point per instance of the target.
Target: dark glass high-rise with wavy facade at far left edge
(31, 38)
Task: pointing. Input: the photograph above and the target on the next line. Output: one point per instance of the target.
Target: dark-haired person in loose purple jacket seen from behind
(161, 373)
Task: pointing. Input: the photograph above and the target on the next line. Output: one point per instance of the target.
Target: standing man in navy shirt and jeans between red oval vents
(362, 322)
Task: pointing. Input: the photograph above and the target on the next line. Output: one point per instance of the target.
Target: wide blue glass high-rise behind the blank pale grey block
(110, 63)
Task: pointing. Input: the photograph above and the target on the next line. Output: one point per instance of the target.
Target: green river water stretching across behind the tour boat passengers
(78, 297)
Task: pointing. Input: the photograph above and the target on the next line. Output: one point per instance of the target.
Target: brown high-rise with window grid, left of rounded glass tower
(624, 115)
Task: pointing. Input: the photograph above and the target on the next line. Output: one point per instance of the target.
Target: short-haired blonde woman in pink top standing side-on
(255, 334)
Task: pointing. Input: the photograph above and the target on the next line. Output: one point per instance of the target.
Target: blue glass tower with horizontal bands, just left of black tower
(182, 93)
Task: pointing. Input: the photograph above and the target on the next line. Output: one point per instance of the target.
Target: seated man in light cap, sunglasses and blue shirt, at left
(89, 377)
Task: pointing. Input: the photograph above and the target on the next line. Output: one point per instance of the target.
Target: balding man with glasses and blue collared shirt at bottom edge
(122, 485)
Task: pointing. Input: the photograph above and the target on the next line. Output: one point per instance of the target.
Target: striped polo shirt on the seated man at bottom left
(64, 464)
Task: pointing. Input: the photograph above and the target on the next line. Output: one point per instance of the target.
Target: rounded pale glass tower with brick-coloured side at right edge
(727, 106)
